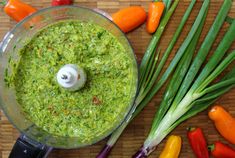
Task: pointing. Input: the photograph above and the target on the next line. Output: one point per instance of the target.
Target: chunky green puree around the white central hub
(95, 108)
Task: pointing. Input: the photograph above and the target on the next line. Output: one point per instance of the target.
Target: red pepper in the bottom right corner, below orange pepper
(220, 150)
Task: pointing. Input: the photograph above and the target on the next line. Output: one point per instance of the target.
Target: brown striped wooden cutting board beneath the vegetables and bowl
(137, 131)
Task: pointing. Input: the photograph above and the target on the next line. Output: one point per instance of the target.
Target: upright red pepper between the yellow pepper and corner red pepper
(198, 142)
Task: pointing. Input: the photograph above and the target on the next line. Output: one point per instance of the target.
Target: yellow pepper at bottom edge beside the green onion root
(172, 147)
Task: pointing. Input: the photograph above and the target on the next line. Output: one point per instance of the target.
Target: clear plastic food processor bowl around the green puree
(15, 39)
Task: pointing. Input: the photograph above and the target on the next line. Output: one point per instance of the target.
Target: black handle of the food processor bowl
(27, 148)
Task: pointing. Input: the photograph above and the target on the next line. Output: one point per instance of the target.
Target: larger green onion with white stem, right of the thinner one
(190, 91)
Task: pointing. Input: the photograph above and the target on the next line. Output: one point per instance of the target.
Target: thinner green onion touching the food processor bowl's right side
(149, 72)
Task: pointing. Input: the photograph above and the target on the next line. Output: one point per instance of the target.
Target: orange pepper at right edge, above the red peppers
(224, 122)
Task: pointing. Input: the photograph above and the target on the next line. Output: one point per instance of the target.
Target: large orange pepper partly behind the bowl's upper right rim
(129, 18)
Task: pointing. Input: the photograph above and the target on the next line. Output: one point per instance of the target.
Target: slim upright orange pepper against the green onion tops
(154, 16)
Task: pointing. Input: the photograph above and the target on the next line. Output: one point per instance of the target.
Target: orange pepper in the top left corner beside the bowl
(18, 10)
